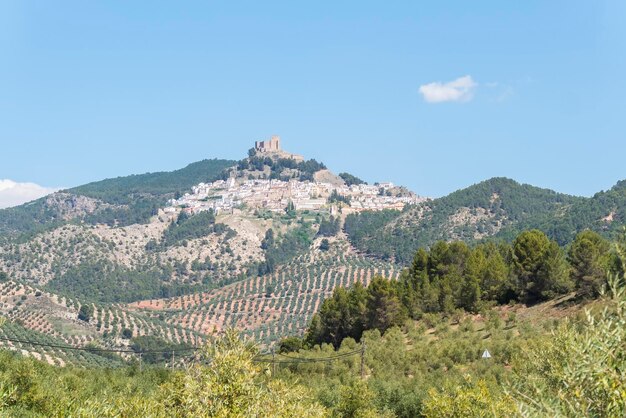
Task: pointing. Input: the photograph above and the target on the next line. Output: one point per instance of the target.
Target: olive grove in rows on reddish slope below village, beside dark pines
(273, 306)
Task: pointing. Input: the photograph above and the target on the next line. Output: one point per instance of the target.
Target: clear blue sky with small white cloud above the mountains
(90, 90)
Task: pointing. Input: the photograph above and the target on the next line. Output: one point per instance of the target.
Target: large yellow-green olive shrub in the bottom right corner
(578, 371)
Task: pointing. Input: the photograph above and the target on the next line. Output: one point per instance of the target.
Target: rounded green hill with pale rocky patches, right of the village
(498, 207)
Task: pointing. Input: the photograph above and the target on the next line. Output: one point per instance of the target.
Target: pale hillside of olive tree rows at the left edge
(63, 321)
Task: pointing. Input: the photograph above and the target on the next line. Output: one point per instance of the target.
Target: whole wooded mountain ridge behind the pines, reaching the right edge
(496, 208)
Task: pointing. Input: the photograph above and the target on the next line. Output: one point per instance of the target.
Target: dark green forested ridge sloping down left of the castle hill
(119, 201)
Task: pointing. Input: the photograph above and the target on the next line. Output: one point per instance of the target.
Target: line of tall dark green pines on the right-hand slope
(450, 277)
